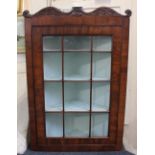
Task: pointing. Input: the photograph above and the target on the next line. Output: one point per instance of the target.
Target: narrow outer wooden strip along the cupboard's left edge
(30, 82)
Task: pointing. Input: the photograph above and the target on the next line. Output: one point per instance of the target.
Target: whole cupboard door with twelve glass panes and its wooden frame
(76, 82)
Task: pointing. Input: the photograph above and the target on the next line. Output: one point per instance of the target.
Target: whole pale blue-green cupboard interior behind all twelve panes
(77, 85)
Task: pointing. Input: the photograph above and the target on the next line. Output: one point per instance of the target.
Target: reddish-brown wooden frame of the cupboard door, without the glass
(39, 81)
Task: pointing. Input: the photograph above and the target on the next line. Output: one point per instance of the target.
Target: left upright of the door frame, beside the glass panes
(39, 85)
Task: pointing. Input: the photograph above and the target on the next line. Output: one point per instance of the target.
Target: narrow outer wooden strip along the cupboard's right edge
(123, 82)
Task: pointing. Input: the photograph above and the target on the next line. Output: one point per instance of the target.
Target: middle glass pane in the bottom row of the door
(76, 124)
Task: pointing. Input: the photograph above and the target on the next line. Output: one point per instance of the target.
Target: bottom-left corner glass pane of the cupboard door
(54, 125)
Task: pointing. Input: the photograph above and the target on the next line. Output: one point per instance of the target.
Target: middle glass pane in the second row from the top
(77, 66)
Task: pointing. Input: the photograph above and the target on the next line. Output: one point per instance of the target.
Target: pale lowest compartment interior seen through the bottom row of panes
(77, 125)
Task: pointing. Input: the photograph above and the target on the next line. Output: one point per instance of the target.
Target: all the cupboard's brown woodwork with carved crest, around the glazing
(51, 21)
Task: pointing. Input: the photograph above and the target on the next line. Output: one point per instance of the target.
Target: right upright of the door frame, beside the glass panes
(115, 84)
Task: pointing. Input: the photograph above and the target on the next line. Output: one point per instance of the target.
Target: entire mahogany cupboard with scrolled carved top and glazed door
(76, 71)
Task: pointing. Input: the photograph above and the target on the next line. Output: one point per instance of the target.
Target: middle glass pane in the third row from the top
(77, 96)
